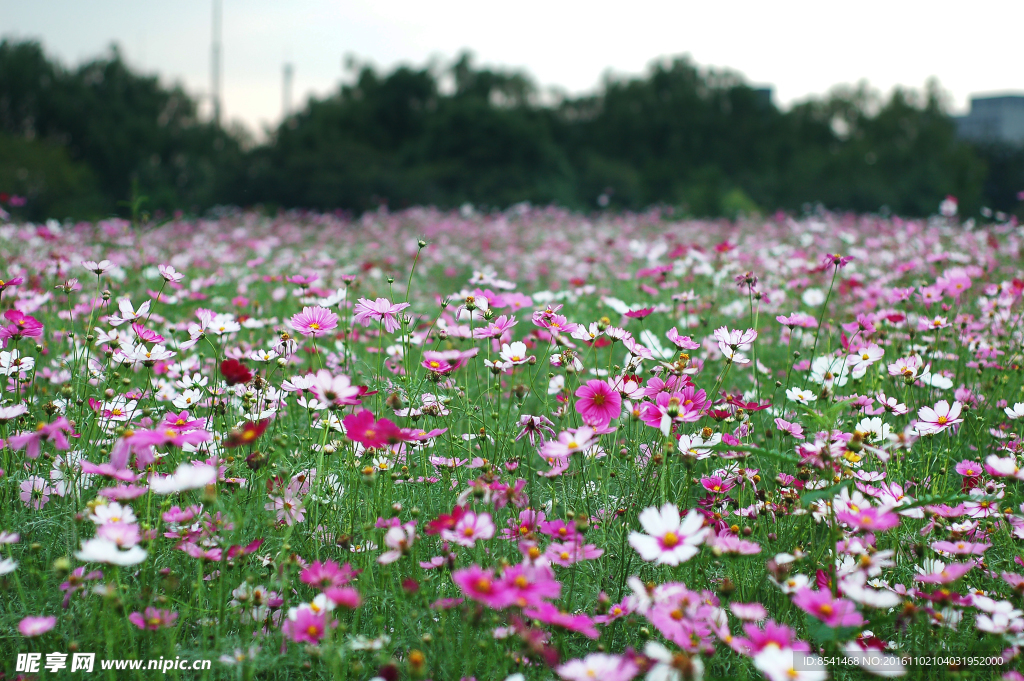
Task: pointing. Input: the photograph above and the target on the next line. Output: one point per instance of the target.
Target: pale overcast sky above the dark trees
(799, 48)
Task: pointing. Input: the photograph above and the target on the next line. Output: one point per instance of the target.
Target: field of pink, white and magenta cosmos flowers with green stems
(530, 445)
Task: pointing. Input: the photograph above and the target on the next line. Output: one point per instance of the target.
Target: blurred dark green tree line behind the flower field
(101, 140)
